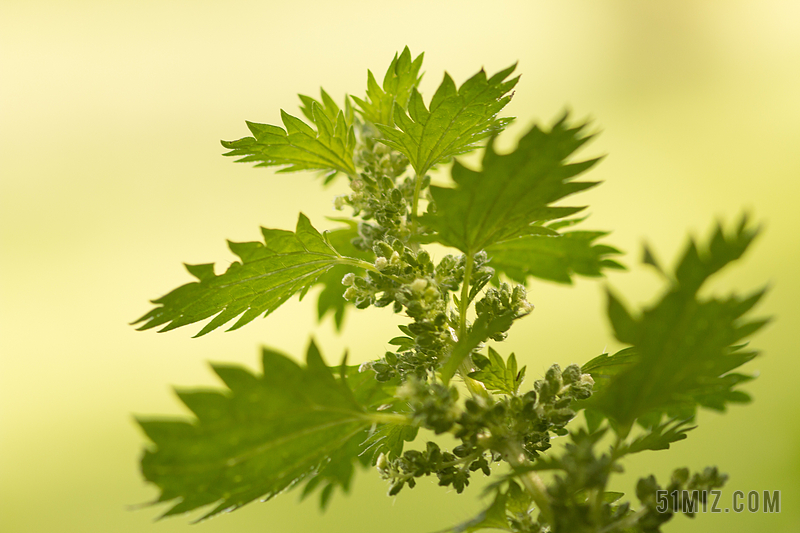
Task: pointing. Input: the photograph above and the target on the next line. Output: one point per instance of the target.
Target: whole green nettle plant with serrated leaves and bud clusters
(312, 425)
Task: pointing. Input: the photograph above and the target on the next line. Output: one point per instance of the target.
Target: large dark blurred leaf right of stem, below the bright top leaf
(512, 191)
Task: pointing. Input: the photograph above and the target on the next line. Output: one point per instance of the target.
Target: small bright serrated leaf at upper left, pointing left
(299, 146)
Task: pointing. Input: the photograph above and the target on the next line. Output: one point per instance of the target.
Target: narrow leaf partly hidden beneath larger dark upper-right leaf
(553, 258)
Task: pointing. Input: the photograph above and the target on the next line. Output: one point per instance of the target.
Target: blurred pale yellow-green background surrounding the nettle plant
(111, 176)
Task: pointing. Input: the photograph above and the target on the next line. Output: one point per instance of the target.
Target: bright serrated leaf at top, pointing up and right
(455, 122)
